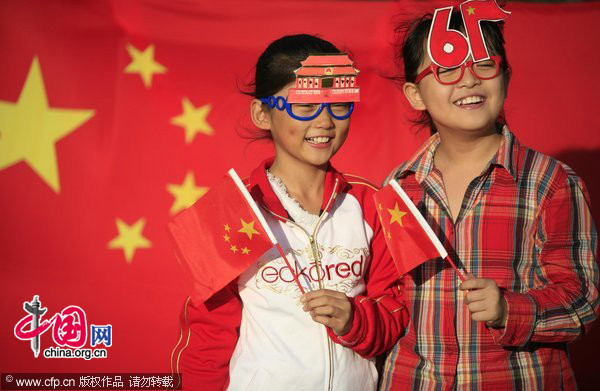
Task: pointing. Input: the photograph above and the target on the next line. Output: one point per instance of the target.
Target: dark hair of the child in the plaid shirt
(411, 52)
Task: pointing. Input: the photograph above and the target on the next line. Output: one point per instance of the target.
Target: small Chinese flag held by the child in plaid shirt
(410, 239)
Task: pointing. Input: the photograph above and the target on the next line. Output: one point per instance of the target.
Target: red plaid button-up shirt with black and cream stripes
(525, 223)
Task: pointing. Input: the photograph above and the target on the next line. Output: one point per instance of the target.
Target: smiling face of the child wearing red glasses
(470, 105)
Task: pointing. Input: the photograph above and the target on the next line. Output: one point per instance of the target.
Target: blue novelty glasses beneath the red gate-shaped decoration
(309, 111)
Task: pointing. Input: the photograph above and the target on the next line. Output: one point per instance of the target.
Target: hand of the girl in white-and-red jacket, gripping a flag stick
(330, 308)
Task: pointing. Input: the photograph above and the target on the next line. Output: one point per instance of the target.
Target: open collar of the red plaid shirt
(421, 163)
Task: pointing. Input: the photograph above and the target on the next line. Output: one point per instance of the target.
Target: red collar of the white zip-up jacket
(262, 192)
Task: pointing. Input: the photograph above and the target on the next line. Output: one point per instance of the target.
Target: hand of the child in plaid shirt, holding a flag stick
(485, 301)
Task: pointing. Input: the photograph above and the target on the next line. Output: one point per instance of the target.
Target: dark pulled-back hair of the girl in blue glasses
(275, 67)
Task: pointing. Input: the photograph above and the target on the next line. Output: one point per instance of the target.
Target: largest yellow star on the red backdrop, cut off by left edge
(30, 128)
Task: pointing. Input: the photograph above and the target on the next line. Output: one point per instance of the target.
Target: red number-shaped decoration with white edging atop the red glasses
(449, 48)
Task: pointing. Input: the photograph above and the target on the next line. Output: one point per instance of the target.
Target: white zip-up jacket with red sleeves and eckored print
(254, 335)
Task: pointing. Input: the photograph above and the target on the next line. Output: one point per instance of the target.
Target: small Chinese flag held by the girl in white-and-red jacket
(219, 236)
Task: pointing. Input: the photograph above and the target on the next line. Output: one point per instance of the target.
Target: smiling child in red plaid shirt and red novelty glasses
(517, 221)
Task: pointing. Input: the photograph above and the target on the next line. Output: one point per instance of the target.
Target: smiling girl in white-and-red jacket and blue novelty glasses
(260, 332)
